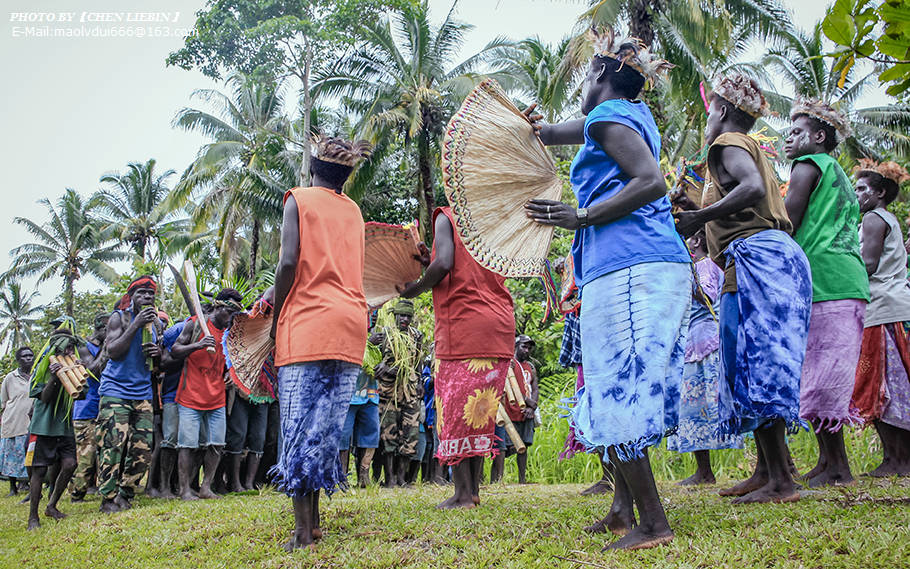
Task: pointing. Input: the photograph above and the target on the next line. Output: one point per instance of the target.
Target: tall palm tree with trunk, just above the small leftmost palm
(69, 245)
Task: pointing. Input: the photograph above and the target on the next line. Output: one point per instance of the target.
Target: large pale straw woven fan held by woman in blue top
(492, 164)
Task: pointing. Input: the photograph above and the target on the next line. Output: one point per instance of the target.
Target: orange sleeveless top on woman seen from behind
(325, 314)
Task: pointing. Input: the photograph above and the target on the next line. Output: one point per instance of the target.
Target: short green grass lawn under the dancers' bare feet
(863, 526)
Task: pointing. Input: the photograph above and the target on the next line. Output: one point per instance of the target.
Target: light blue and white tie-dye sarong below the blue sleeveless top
(633, 329)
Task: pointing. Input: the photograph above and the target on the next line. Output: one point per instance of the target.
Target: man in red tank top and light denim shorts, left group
(200, 393)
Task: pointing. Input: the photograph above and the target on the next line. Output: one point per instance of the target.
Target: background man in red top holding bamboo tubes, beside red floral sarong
(520, 406)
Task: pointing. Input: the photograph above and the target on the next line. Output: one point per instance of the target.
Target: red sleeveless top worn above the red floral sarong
(474, 314)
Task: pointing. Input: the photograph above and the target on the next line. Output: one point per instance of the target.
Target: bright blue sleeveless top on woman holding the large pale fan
(646, 235)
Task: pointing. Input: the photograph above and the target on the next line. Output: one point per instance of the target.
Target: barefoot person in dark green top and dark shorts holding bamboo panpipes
(52, 421)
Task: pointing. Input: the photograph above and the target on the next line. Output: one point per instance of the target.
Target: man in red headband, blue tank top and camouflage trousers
(125, 410)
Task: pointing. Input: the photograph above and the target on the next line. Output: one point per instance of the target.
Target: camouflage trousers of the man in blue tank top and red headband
(126, 428)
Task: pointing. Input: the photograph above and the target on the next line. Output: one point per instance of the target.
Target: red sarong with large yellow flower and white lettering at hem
(467, 398)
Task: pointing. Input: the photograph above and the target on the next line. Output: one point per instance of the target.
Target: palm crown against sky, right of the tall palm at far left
(135, 209)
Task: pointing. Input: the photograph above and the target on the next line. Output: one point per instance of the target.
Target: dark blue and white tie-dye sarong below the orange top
(313, 400)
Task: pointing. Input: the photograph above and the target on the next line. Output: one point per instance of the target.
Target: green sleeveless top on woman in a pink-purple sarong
(829, 235)
